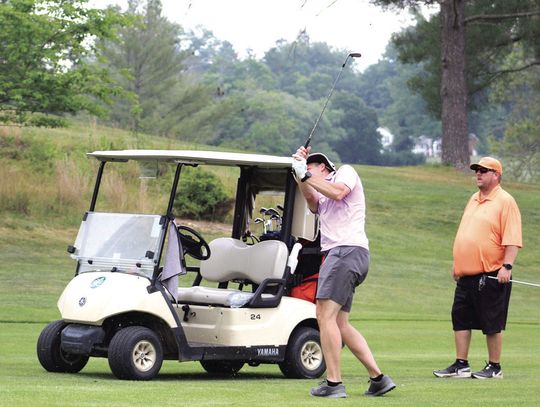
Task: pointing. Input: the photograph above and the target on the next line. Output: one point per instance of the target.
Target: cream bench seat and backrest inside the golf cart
(262, 264)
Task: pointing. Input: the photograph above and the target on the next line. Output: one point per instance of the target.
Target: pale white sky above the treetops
(352, 25)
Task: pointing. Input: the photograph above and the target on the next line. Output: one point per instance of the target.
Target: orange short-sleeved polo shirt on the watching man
(487, 226)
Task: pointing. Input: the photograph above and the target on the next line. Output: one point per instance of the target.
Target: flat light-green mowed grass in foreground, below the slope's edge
(407, 350)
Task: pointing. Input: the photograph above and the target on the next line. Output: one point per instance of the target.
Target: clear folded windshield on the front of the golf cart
(118, 242)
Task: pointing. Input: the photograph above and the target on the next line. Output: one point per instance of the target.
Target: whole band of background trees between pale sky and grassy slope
(472, 67)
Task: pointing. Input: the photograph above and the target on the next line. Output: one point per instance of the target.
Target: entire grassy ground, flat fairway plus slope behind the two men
(402, 309)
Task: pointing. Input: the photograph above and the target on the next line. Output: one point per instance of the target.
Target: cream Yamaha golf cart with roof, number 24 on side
(125, 302)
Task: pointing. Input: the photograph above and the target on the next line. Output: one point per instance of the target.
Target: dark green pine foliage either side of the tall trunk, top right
(487, 45)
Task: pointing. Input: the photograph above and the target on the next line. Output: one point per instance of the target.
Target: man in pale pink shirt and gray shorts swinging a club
(338, 198)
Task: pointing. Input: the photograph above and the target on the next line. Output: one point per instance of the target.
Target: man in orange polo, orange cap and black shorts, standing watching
(486, 244)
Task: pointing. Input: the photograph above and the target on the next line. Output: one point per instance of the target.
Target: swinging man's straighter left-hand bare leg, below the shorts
(327, 311)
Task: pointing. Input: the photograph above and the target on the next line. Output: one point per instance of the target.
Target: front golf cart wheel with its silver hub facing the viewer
(135, 353)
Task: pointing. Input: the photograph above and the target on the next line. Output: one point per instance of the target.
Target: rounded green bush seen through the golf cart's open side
(201, 195)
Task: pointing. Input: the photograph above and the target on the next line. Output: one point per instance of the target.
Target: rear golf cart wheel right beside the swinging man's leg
(303, 357)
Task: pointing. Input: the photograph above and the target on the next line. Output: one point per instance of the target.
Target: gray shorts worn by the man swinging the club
(343, 269)
